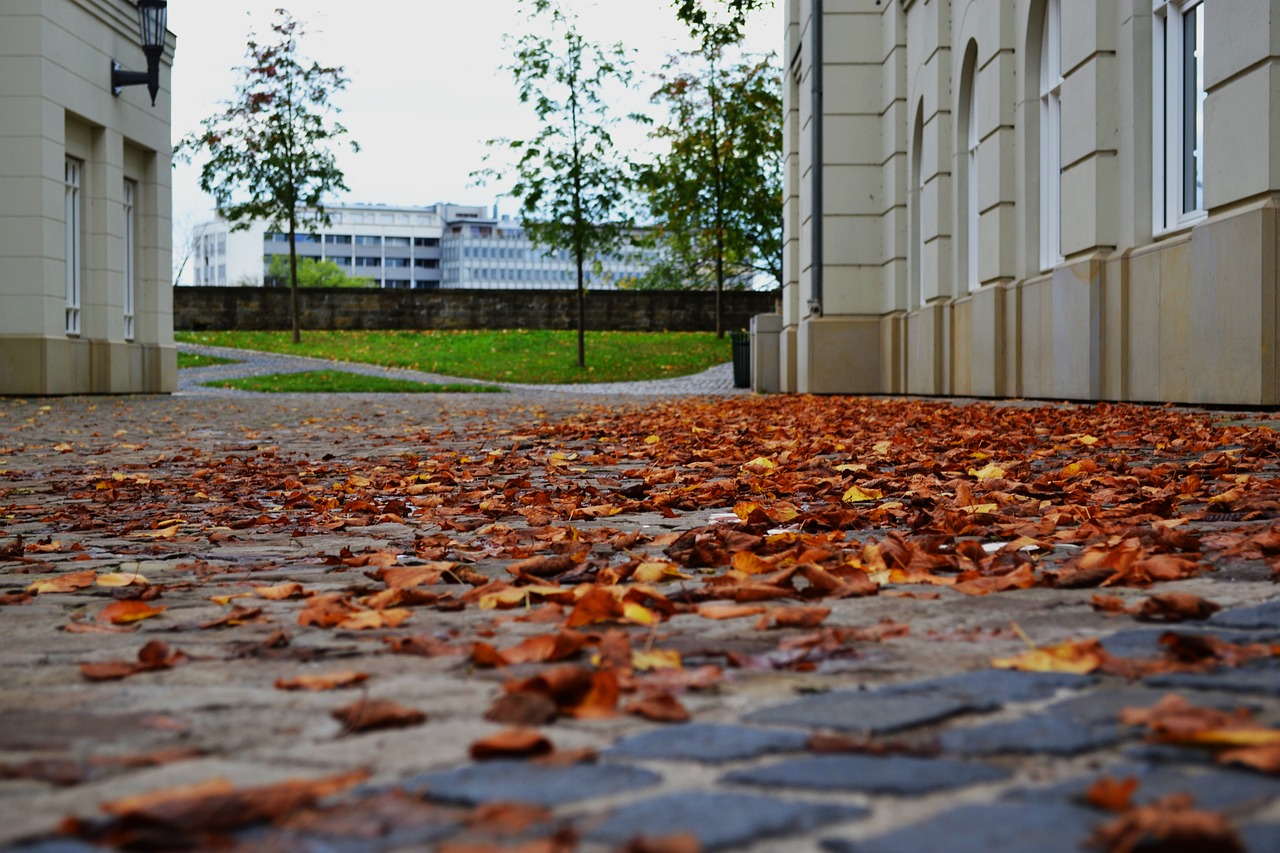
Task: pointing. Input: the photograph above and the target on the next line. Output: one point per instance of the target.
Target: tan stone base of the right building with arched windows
(1192, 318)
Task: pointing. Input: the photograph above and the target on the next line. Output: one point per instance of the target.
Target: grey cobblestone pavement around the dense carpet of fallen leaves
(971, 759)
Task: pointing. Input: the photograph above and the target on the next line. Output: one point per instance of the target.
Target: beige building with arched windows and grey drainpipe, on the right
(1049, 199)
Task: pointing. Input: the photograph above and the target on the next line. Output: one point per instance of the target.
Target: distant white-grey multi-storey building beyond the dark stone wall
(428, 248)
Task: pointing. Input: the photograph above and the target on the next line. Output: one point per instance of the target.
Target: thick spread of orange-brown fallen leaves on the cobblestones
(822, 500)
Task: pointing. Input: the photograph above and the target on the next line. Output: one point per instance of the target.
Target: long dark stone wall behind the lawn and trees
(199, 309)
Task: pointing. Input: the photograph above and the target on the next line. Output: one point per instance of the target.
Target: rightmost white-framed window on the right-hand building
(1178, 121)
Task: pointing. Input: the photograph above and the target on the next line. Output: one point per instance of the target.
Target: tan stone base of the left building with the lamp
(34, 366)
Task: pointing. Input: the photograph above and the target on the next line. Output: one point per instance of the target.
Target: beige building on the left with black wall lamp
(86, 302)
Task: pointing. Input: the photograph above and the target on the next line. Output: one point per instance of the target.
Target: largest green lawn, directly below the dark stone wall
(532, 357)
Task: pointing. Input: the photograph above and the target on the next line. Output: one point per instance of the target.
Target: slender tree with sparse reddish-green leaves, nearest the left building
(271, 154)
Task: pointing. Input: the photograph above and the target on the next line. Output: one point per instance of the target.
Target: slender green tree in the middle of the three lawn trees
(572, 183)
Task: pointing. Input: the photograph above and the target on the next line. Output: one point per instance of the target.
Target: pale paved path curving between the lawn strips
(716, 381)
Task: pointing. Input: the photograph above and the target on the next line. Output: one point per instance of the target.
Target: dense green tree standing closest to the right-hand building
(715, 191)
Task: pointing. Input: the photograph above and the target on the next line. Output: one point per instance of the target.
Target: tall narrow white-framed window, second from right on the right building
(1052, 138)
